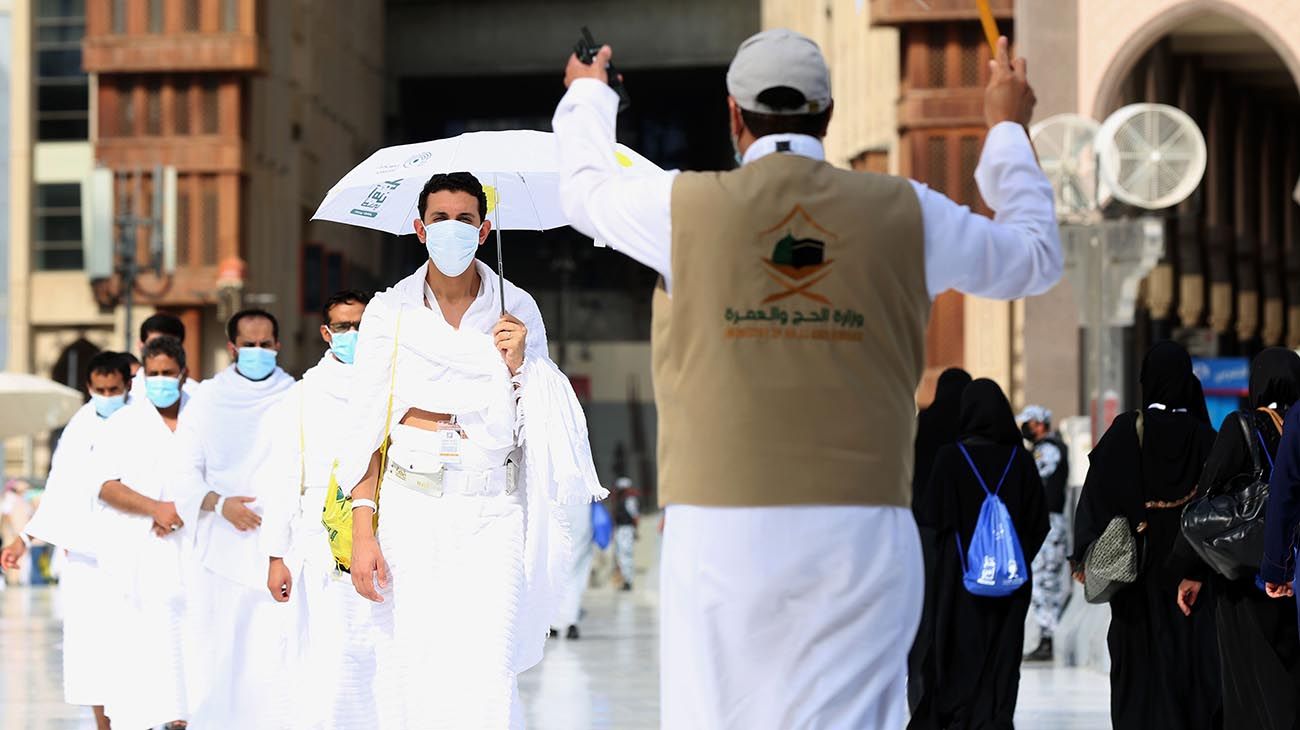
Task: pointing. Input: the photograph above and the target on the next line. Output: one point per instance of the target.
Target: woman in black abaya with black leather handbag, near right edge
(1258, 638)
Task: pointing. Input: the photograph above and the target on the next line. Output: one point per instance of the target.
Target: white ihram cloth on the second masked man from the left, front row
(149, 573)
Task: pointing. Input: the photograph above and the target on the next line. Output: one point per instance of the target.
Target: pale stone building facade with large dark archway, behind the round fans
(1229, 283)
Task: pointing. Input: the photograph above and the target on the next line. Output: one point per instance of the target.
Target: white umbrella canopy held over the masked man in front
(519, 171)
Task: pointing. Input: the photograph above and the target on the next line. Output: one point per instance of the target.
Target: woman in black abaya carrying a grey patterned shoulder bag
(1164, 666)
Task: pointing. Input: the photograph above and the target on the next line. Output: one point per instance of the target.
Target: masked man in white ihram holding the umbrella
(487, 444)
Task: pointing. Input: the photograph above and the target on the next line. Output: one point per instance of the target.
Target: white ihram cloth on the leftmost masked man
(67, 519)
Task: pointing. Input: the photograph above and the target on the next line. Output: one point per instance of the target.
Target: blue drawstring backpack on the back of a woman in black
(994, 567)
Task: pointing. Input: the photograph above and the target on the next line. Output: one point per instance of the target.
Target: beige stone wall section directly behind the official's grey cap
(864, 72)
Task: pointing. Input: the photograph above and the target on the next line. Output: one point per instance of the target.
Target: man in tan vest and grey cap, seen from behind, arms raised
(788, 345)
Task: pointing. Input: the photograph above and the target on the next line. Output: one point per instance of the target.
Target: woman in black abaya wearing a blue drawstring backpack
(978, 642)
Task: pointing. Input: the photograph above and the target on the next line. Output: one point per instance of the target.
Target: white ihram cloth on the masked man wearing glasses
(335, 655)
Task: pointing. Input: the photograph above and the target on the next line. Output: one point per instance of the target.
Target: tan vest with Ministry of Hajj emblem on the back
(790, 351)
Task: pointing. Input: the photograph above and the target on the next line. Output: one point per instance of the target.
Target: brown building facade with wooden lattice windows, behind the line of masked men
(259, 105)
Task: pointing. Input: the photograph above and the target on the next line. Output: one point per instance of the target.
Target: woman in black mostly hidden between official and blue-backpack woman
(937, 427)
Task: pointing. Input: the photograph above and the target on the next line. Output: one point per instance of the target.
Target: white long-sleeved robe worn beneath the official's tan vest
(1016, 254)
